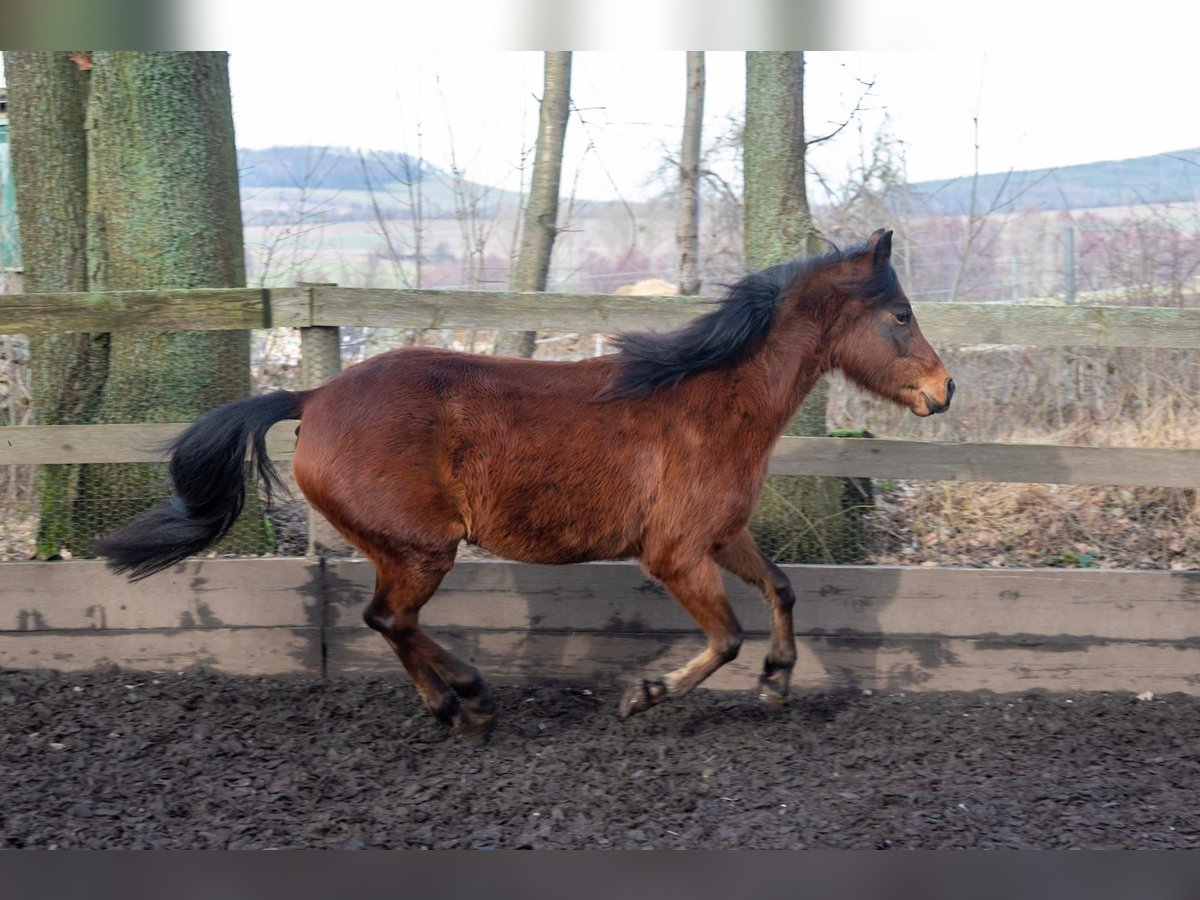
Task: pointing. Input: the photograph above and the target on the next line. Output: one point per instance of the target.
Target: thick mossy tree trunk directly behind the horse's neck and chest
(800, 519)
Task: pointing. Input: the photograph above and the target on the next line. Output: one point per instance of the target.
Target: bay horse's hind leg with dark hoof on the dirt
(453, 691)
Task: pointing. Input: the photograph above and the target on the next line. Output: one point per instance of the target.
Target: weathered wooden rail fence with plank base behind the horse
(880, 627)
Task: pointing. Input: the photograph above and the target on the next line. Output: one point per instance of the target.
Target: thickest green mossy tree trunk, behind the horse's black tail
(163, 213)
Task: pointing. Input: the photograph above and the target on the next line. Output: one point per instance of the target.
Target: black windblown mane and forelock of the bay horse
(735, 329)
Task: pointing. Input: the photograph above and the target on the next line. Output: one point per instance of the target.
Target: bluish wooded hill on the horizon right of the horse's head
(1165, 178)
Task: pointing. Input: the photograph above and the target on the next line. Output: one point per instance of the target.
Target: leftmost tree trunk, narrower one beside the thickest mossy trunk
(47, 100)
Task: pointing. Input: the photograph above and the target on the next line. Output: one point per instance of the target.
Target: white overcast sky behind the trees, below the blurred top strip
(1034, 110)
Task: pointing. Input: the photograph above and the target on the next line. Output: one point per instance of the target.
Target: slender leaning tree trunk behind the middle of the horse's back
(542, 213)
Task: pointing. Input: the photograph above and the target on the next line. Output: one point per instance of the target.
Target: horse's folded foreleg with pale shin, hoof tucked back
(699, 589)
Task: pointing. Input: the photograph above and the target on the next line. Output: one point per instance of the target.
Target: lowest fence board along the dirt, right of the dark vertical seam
(886, 664)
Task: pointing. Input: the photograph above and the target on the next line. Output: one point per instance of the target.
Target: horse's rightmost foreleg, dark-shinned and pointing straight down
(743, 559)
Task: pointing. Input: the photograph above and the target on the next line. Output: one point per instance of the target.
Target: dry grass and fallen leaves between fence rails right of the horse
(1054, 397)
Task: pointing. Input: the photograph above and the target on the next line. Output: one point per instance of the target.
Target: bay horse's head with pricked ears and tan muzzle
(875, 340)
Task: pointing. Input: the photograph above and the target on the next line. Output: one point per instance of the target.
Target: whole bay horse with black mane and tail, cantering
(656, 453)
